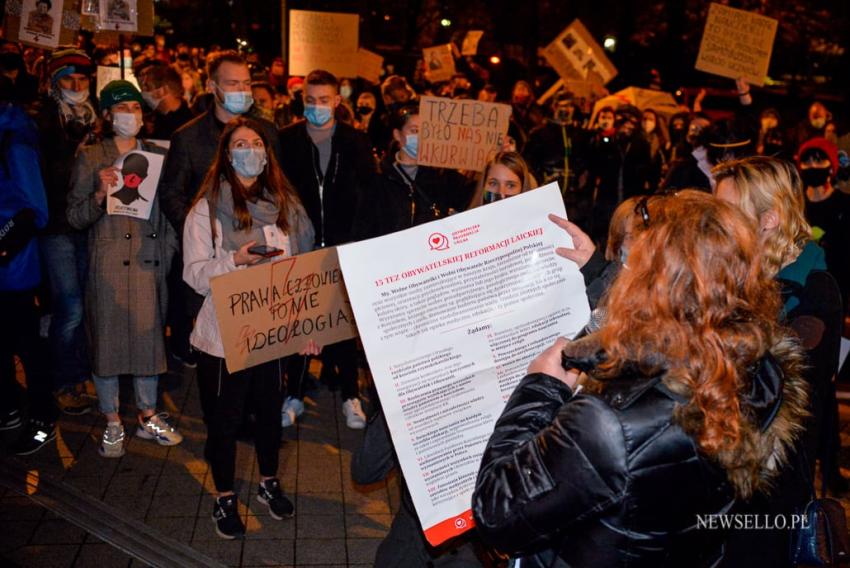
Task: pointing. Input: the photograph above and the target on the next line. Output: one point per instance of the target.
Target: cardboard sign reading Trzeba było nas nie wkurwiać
(460, 134)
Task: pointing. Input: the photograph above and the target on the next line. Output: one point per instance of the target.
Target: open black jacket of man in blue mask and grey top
(349, 174)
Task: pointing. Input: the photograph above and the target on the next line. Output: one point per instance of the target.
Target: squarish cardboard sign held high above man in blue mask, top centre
(323, 40)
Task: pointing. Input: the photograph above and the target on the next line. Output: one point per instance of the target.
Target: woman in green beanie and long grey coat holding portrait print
(126, 294)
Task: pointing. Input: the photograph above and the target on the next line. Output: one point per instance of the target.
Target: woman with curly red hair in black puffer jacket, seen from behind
(690, 398)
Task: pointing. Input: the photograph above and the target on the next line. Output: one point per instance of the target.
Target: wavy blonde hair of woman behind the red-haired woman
(768, 184)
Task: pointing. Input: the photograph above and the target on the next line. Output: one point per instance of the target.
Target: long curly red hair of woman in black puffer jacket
(696, 303)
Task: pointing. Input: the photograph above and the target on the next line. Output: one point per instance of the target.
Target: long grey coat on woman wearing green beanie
(126, 293)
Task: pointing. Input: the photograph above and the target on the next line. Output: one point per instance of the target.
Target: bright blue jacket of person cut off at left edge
(21, 188)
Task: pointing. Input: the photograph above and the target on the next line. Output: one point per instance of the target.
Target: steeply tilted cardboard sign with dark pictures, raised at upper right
(576, 56)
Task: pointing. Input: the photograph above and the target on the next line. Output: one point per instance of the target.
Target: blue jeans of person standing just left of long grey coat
(66, 263)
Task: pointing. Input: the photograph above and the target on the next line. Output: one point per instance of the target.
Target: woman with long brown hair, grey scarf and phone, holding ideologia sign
(245, 213)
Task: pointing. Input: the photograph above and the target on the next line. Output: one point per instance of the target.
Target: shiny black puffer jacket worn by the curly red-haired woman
(613, 478)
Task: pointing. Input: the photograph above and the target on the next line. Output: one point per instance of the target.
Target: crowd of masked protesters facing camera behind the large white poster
(318, 161)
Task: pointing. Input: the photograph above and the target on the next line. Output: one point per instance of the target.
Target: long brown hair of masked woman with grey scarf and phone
(271, 183)
